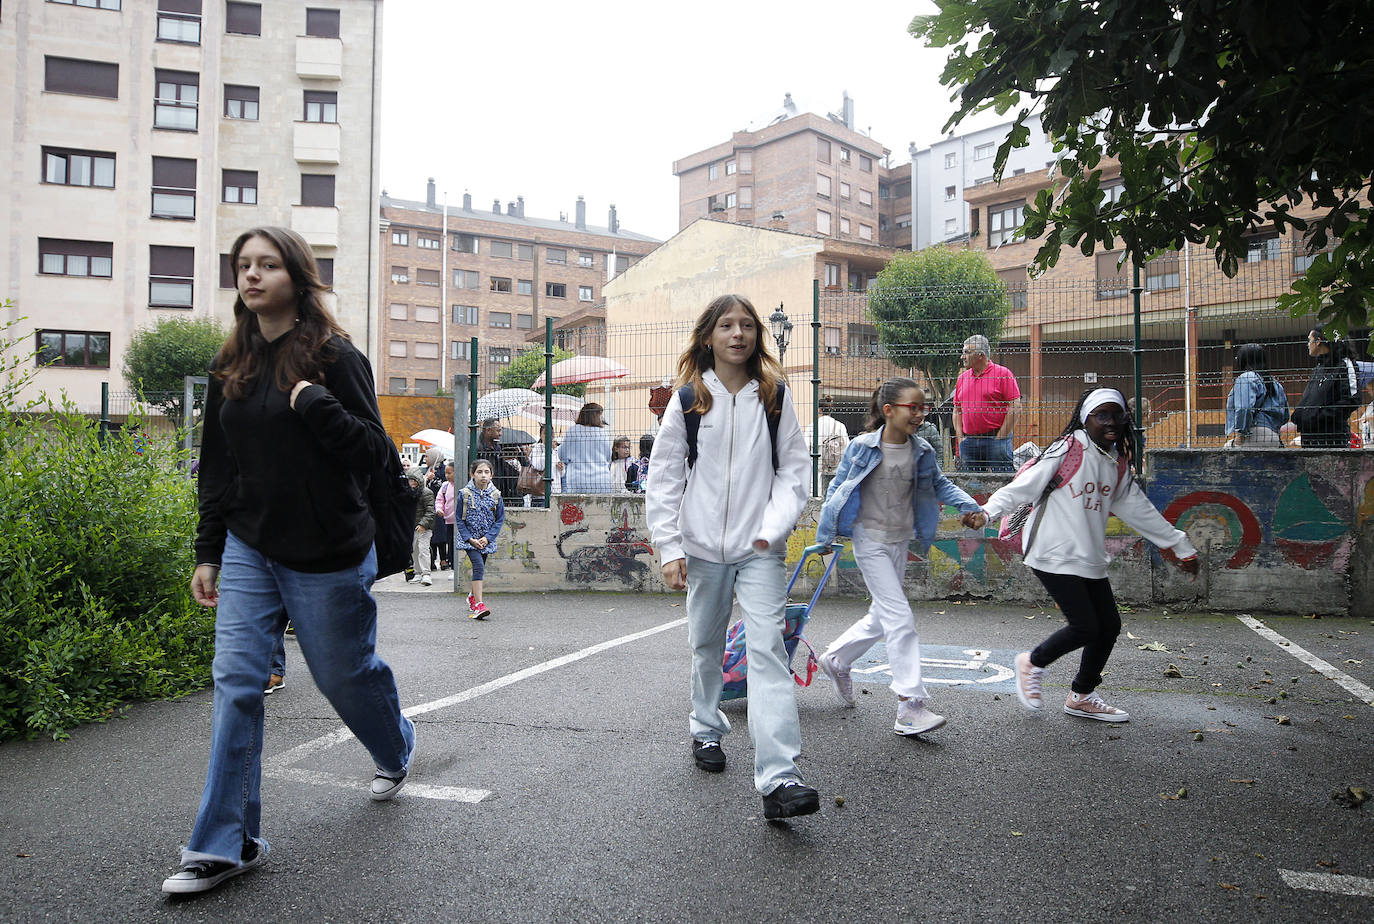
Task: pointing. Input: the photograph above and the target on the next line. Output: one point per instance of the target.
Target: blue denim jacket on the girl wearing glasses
(932, 490)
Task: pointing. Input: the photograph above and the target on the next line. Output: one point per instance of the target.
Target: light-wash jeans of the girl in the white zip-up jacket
(761, 586)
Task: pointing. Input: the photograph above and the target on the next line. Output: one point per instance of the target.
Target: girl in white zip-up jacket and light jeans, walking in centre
(721, 522)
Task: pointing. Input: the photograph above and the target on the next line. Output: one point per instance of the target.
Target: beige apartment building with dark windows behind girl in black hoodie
(149, 134)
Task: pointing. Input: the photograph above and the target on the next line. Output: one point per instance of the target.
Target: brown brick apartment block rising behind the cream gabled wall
(800, 173)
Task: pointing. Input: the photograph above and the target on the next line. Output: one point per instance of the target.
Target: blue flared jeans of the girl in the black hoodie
(336, 626)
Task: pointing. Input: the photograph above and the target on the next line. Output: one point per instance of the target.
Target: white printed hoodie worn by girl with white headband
(1072, 537)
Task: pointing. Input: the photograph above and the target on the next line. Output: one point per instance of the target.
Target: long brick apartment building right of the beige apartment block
(457, 273)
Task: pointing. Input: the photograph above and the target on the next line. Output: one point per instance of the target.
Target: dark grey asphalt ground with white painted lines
(554, 783)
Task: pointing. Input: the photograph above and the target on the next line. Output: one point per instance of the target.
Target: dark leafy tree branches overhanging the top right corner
(1224, 115)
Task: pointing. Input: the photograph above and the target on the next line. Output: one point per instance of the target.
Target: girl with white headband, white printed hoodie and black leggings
(1068, 552)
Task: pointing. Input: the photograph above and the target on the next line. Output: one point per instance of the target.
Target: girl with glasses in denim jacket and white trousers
(888, 490)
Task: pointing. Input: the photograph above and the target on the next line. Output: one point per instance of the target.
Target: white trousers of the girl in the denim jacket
(890, 617)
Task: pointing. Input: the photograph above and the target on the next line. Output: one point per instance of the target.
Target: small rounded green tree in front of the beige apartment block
(161, 357)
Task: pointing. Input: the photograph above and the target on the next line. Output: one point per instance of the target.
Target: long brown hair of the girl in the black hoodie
(304, 353)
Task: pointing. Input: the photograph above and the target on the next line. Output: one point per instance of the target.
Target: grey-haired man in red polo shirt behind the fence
(986, 402)
